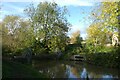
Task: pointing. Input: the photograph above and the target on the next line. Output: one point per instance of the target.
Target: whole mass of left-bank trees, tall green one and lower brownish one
(45, 31)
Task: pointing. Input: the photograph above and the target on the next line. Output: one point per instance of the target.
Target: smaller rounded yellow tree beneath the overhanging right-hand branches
(98, 34)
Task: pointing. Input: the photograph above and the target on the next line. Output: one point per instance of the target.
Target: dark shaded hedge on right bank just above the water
(103, 59)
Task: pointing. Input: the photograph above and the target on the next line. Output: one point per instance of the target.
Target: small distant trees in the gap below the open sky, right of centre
(75, 46)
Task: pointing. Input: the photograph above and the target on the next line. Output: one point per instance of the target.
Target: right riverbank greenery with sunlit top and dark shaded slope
(105, 57)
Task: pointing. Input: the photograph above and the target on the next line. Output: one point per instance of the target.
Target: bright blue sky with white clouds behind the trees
(79, 11)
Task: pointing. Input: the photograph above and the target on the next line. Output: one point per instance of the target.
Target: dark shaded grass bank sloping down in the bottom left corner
(12, 69)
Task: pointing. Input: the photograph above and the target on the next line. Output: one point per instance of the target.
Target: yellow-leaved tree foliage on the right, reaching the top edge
(105, 23)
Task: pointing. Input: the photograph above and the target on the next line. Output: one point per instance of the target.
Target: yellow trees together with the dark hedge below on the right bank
(99, 43)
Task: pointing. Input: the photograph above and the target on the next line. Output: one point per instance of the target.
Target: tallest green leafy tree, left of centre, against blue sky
(49, 20)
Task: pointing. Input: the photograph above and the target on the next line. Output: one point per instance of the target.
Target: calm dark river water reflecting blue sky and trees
(72, 69)
